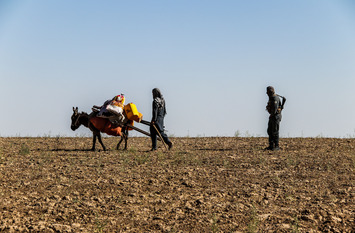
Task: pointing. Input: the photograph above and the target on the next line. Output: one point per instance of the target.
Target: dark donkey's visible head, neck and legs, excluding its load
(78, 119)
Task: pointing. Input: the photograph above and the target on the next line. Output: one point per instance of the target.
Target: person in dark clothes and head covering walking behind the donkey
(157, 122)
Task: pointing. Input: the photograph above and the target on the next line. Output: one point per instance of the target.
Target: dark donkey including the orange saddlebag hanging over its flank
(97, 125)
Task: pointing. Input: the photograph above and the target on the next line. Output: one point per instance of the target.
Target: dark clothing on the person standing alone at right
(274, 108)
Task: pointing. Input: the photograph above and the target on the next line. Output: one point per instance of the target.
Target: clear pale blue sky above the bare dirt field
(212, 60)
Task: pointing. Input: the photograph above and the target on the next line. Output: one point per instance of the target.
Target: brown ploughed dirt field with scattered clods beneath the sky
(202, 185)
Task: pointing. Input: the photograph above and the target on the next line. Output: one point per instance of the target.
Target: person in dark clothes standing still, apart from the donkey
(274, 107)
